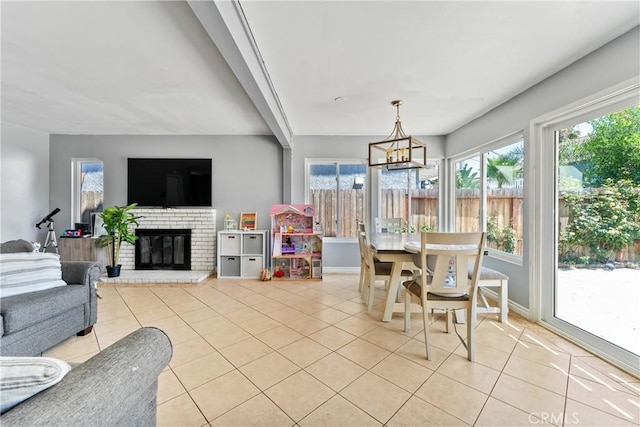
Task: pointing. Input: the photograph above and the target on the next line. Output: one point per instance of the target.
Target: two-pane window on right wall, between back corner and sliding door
(489, 194)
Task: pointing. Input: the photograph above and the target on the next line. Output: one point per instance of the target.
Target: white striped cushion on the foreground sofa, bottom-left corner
(22, 377)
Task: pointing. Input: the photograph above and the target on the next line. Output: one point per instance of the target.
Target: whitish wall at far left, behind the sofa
(24, 183)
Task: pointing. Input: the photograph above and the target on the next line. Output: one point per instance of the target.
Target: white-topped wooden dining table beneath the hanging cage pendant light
(390, 247)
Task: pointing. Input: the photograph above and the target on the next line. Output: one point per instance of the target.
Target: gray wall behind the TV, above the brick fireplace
(246, 169)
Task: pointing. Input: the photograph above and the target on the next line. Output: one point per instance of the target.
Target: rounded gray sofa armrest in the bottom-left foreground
(112, 388)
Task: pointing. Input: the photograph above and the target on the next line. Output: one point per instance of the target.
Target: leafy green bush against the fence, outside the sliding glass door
(606, 220)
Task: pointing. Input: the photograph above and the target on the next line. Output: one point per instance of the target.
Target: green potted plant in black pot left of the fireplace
(117, 220)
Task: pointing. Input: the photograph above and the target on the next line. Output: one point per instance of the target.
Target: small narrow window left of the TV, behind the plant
(87, 188)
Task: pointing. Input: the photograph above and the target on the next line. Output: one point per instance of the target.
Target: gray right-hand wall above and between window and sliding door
(610, 65)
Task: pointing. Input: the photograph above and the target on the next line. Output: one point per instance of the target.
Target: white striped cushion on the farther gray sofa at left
(28, 272)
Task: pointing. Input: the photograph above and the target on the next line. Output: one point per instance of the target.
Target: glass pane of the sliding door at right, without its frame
(598, 227)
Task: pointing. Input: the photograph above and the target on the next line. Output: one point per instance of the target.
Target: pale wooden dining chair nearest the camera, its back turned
(444, 282)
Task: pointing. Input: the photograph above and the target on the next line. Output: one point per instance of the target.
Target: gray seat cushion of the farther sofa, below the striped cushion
(22, 311)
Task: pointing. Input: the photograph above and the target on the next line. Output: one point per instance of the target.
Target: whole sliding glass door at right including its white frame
(589, 281)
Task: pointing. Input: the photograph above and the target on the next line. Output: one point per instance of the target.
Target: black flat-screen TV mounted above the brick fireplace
(169, 182)
